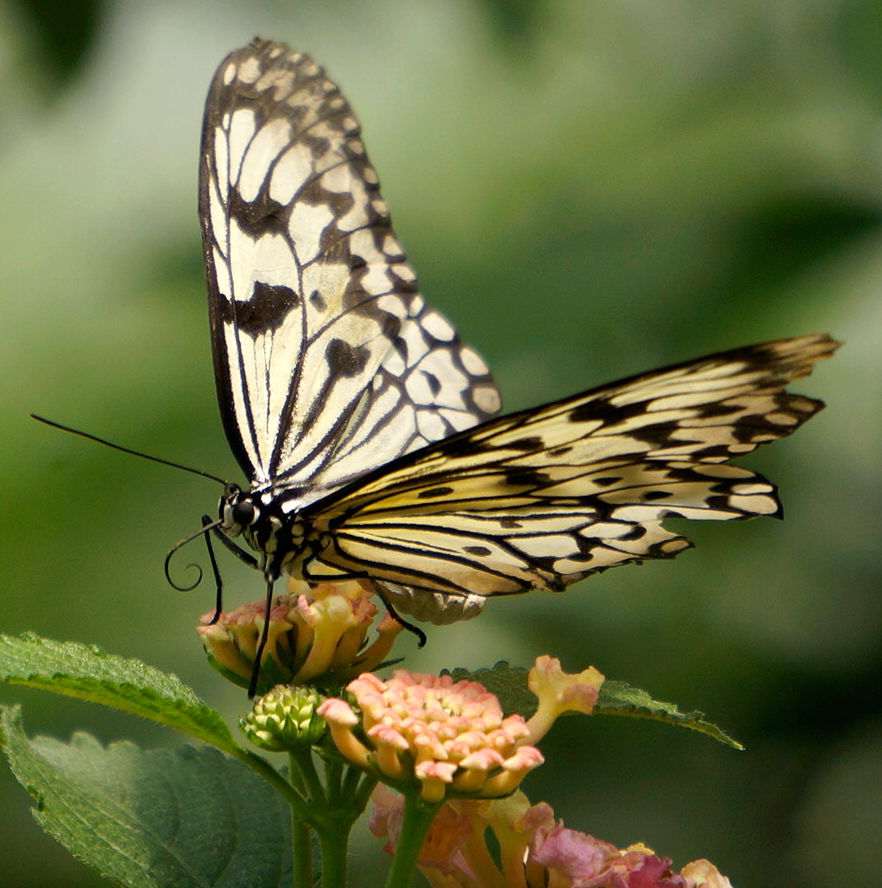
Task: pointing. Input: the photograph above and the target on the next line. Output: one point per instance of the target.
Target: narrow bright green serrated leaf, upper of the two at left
(88, 673)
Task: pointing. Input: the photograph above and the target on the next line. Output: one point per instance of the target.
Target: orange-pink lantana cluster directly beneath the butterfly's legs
(313, 631)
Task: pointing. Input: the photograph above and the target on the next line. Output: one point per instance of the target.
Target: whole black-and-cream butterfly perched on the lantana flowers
(367, 428)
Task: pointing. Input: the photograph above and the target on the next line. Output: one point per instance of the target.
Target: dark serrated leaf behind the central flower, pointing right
(509, 684)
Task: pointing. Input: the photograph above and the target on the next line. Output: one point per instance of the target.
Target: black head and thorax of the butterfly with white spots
(277, 537)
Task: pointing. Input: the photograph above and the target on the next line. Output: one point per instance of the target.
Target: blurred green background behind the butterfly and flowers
(589, 190)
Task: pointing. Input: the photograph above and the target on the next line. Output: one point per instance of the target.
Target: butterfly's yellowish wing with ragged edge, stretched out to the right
(542, 498)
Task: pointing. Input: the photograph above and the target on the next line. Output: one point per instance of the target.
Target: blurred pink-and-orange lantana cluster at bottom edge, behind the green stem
(533, 850)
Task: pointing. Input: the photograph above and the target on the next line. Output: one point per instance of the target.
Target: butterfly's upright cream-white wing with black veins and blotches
(328, 362)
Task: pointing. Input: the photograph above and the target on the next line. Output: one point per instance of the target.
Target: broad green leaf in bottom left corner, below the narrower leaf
(154, 819)
